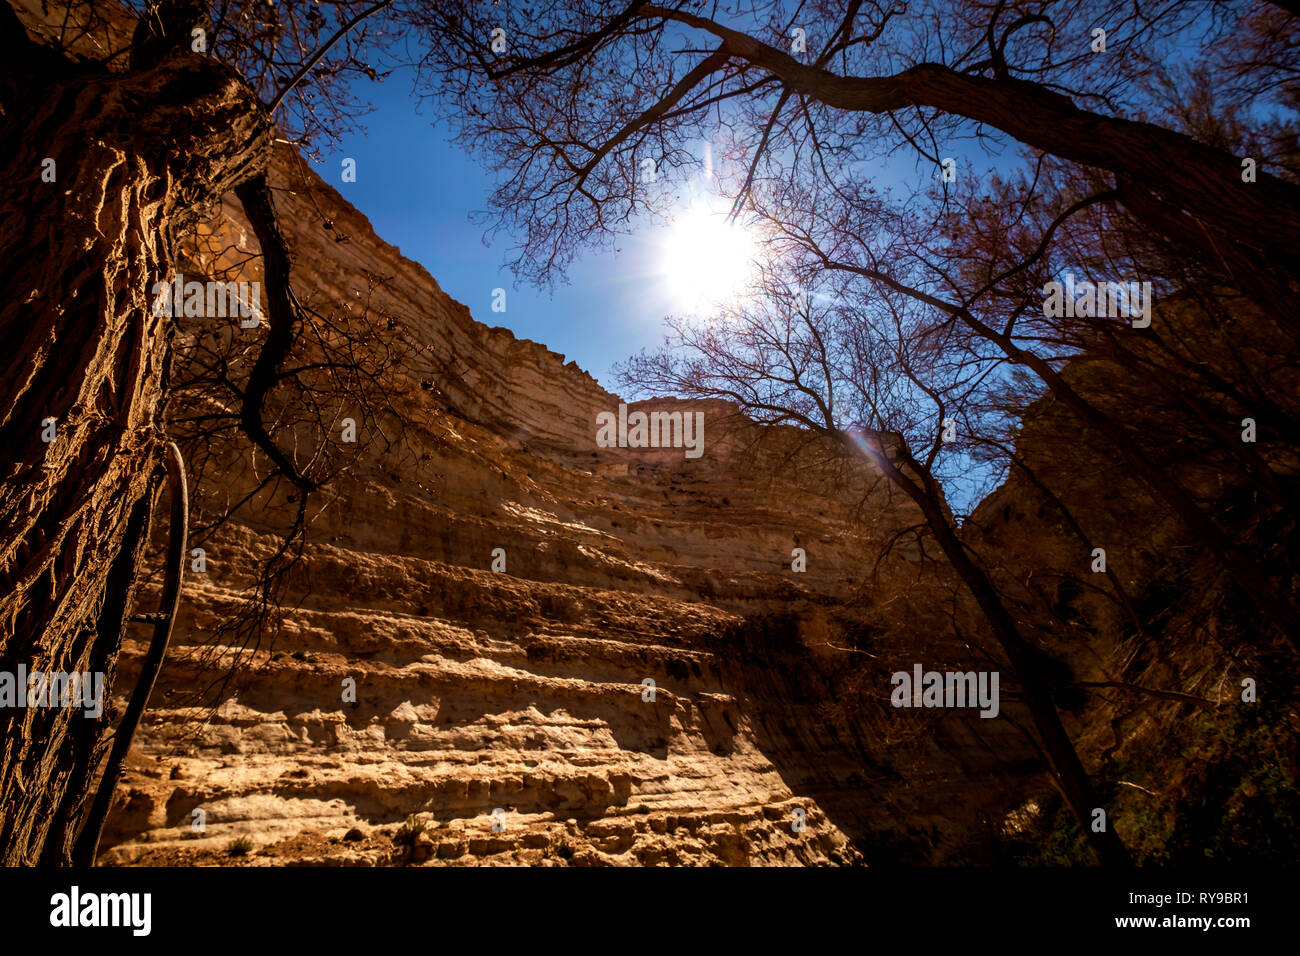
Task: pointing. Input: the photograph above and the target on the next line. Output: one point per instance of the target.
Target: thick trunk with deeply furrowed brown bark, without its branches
(137, 155)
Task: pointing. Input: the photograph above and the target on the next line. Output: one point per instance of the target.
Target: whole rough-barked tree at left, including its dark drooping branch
(107, 161)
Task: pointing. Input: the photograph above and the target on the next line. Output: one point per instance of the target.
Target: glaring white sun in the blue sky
(709, 261)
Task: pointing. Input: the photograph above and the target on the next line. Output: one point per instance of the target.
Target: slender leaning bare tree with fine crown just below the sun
(878, 380)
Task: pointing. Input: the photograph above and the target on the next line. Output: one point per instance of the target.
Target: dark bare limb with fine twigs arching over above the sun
(574, 97)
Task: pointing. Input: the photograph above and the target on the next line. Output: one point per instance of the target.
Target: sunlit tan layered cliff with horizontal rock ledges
(553, 652)
